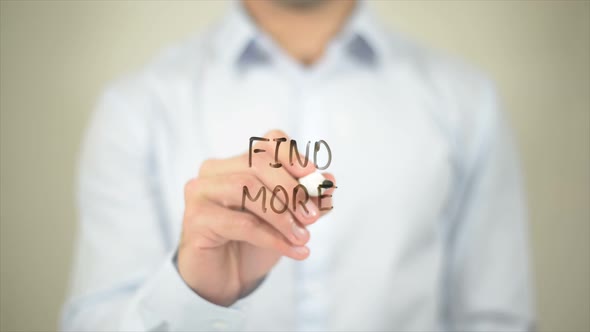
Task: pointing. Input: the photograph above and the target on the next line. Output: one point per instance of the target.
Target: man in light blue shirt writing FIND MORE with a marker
(427, 231)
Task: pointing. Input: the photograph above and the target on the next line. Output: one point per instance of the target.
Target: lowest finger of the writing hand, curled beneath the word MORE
(241, 226)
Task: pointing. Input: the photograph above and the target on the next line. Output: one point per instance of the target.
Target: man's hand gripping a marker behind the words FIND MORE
(225, 251)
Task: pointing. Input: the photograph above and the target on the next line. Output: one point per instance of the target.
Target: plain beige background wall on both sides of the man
(56, 57)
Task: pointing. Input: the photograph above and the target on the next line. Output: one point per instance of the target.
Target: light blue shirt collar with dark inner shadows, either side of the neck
(241, 43)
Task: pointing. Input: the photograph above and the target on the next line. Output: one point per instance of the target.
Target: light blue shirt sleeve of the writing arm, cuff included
(124, 277)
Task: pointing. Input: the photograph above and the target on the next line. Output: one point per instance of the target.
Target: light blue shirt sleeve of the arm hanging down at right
(487, 279)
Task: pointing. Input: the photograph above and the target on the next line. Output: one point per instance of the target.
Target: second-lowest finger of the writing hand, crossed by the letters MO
(244, 191)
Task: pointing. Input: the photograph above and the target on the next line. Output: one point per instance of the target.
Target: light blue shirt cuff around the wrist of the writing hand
(170, 304)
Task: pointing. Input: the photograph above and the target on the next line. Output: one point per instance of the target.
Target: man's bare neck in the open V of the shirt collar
(303, 32)
